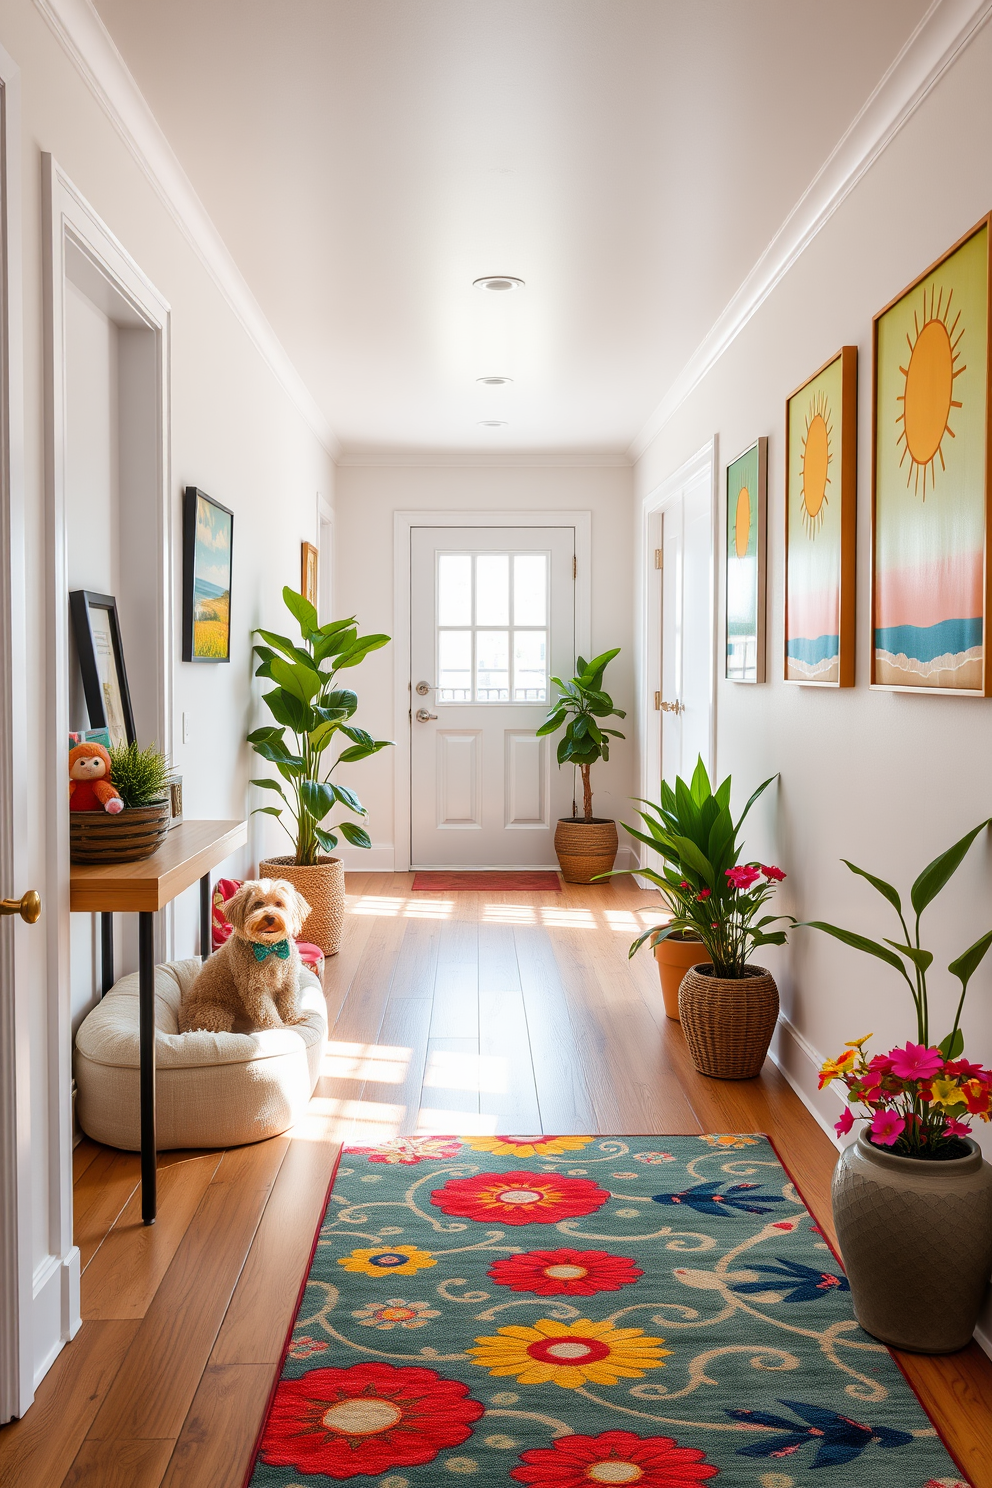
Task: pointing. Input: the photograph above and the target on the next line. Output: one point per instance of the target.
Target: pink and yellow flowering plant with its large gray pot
(912, 1197)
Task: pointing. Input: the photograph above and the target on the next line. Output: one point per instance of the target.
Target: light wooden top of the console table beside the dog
(190, 852)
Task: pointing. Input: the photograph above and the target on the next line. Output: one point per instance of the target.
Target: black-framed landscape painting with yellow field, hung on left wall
(207, 551)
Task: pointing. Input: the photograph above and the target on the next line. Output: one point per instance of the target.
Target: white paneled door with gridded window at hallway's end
(493, 618)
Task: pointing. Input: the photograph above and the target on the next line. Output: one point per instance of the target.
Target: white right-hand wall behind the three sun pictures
(887, 780)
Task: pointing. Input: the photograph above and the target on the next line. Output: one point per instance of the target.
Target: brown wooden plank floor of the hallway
(472, 1013)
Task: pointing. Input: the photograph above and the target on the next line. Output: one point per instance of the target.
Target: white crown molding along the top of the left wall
(100, 65)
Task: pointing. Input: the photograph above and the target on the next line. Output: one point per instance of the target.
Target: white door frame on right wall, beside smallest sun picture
(649, 672)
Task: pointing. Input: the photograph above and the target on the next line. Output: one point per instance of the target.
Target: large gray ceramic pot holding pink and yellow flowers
(917, 1245)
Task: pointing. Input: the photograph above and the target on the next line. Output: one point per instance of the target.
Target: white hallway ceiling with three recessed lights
(367, 160)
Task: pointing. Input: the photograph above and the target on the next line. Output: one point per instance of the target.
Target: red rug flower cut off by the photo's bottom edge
(616, 1457)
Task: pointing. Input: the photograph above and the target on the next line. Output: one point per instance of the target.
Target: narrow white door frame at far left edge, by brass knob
(17, 1343)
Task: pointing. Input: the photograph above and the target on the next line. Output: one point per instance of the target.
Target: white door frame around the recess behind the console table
(80, 248)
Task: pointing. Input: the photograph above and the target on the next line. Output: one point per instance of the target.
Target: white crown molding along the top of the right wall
(942, 35)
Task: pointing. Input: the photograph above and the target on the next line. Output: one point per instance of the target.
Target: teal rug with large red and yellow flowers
(584, 1312)
